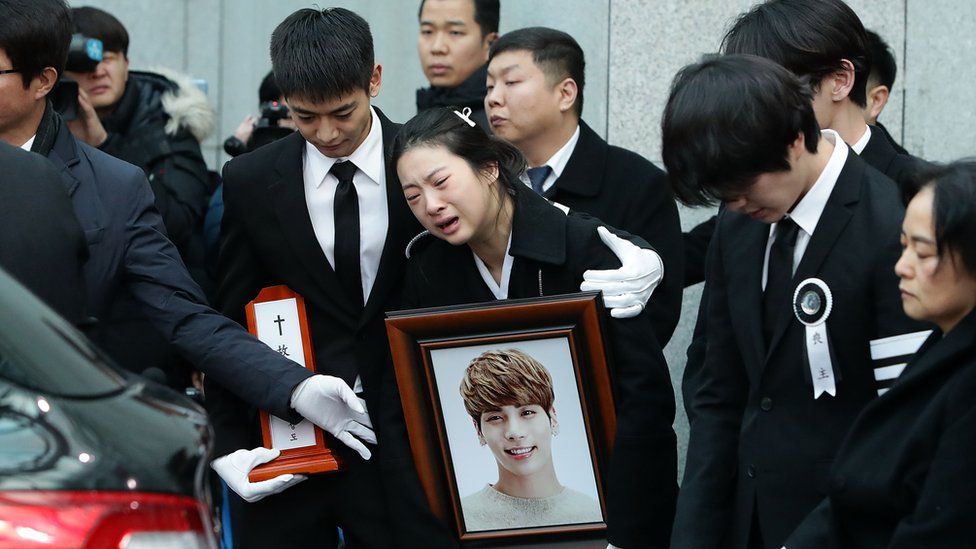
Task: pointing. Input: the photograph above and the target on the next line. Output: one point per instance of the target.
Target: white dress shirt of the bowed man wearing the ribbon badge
(806, 214)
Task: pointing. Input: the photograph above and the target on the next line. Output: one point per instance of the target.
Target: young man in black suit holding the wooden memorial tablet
(322, 211)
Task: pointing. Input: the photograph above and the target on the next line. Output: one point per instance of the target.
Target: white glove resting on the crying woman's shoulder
(627, 289)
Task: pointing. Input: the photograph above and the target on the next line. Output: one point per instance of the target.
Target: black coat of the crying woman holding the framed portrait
(549, 246)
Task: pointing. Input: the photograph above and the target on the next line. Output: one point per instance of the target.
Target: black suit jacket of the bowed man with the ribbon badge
(759, 440)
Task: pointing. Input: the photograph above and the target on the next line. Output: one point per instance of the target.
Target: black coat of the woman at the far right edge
(904, 475)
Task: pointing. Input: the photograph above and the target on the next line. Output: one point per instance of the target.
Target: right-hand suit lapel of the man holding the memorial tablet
(402, 227)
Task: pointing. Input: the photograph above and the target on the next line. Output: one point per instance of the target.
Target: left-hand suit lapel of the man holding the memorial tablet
(291, 209)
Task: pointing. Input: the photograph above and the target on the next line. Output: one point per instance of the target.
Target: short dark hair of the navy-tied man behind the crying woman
(556, 53)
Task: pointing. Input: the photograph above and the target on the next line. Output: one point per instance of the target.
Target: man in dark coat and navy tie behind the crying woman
(534, 101)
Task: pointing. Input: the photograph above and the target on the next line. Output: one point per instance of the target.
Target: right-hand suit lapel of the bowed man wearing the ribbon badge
(835, 216)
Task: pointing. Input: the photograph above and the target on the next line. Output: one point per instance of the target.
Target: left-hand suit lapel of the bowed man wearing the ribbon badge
(743, 258)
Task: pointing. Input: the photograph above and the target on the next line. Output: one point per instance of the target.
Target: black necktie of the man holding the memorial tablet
(346, 211)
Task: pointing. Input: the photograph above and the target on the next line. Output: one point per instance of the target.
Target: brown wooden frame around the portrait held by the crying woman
(419, 337)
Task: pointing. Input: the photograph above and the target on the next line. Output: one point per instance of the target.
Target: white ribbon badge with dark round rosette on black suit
(812, 303)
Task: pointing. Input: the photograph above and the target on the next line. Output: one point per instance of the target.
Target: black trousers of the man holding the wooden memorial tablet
(309, 513)
